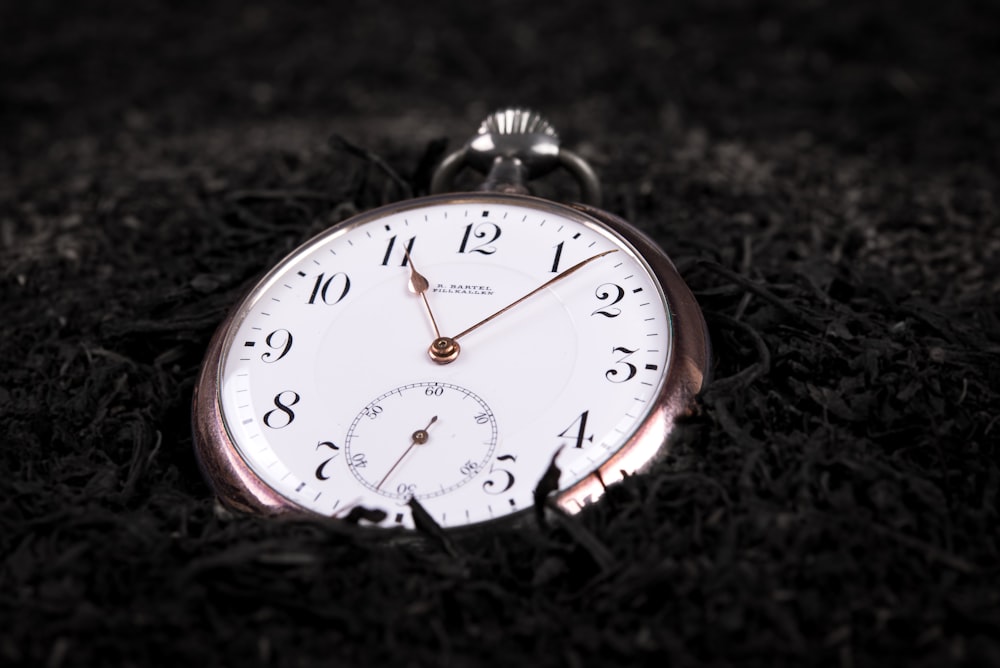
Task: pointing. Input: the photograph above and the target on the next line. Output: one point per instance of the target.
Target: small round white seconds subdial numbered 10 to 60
(456, 434)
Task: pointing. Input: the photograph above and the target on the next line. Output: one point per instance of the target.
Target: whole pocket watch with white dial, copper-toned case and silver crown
(450, 349)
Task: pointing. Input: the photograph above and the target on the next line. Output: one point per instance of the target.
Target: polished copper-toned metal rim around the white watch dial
(239, 488)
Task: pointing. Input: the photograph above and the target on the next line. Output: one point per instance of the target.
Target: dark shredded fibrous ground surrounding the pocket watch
(823, 173)
